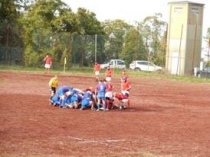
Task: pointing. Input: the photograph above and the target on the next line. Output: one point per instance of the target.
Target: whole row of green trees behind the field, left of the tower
(37, 27)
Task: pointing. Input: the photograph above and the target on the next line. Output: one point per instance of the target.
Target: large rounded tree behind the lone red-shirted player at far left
(44, 24)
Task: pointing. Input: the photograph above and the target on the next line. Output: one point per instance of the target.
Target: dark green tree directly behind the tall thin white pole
(89, 27)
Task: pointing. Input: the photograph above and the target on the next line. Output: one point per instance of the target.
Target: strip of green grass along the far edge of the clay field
(89, 72)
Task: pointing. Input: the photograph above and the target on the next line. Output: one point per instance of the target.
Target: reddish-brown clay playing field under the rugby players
(167, 118)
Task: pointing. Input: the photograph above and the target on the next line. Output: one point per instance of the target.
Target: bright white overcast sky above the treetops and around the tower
(133, 10)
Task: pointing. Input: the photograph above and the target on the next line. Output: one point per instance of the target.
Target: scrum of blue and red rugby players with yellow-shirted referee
(98, 98)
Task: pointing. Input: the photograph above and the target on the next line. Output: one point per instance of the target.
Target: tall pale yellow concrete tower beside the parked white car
(184, 37)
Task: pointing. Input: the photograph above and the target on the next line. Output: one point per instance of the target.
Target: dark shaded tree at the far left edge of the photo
(9, 30)
